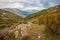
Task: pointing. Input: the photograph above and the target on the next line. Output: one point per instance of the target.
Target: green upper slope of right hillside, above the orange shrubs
(45, 11)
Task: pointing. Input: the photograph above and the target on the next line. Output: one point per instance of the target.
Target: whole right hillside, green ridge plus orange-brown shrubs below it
(49, 17)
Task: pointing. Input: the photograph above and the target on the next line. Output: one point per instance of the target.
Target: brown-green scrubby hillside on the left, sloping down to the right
(7, 19)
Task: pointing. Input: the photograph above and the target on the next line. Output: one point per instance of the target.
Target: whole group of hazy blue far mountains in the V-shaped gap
(22, 13)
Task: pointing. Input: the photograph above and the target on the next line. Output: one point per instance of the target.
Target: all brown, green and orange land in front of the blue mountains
(42, 25)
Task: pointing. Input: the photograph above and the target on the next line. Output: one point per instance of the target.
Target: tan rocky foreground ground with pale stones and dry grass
(28, 31)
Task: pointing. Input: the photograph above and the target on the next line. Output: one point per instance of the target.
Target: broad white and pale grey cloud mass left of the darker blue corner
(22, 4)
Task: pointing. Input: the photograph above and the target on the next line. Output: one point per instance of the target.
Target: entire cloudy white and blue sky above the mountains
(28, 4)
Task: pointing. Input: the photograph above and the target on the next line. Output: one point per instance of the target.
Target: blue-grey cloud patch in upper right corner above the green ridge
(49, 3)
